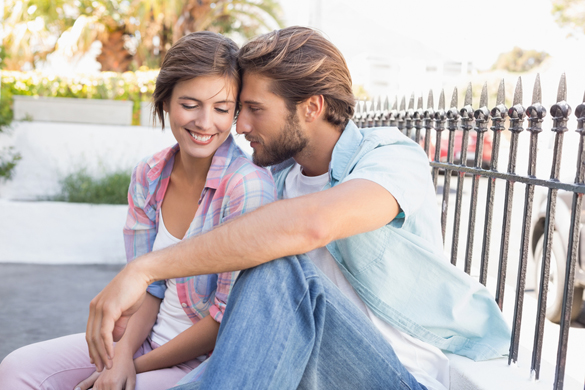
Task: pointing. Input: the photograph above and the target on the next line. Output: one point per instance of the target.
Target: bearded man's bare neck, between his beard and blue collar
(315, 158)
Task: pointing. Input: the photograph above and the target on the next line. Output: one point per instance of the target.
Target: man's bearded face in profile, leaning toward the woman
(275, 133)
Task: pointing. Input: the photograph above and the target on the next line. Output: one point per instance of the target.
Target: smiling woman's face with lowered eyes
(201, 113)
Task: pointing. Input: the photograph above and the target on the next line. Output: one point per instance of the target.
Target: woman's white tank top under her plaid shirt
(171, 319)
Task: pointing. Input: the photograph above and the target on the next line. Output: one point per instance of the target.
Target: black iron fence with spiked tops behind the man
(539, 238)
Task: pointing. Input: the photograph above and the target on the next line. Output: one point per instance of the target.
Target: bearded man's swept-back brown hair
(301, 63)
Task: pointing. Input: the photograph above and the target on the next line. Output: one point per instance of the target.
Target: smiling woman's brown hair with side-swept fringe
(197, 54)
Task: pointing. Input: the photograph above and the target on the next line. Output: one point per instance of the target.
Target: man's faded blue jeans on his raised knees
(287, 326)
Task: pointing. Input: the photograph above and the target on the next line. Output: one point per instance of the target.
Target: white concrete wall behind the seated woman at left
(36, 231)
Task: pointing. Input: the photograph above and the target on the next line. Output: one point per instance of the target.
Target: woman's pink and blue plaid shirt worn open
(234, 186)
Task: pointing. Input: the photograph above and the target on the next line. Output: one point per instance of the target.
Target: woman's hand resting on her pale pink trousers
(121, 376)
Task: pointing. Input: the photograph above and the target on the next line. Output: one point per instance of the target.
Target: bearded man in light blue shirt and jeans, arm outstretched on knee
(373, 301)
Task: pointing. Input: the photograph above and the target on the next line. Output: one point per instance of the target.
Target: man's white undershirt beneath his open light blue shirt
(425, 362)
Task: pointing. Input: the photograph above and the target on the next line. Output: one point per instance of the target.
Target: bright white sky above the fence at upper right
(475, 30)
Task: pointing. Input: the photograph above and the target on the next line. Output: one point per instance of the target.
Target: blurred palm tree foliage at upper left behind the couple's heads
(136, 31)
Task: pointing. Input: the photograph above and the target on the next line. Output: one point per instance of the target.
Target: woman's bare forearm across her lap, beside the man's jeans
(195, 341)
